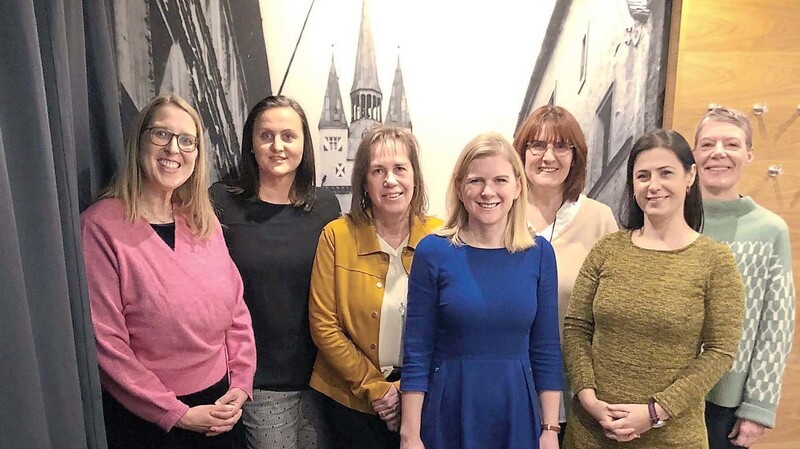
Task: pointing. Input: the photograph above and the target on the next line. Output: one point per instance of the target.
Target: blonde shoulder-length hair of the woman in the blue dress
(517, 237)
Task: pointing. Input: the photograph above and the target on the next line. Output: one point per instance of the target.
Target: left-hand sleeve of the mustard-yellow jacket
(339, 350)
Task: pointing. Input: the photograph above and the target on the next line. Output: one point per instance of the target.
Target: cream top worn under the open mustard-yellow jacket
(393, 309)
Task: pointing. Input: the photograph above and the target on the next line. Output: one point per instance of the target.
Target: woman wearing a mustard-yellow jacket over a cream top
(358, 291)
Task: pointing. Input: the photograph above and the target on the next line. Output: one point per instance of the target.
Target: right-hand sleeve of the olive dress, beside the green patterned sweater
(722, 327)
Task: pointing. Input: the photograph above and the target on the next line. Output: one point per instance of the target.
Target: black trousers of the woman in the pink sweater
(124, 430)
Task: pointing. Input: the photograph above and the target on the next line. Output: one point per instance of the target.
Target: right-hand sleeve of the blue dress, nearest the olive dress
(545, 345)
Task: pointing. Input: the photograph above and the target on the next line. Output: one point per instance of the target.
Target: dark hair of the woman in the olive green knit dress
(632, 216)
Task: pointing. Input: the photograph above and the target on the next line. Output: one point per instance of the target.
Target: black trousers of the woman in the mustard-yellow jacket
(351, 429)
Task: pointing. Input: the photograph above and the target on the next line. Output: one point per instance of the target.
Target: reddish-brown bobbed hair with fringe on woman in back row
(556, 124)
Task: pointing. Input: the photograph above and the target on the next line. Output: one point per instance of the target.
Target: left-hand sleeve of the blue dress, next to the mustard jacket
(420, 333)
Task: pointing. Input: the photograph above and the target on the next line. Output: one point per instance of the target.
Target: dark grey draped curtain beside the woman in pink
(60, 140)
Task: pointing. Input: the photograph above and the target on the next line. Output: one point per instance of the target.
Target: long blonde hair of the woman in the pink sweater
(191, 197)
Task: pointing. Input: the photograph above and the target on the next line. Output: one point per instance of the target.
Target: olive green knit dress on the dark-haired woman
(645, 324)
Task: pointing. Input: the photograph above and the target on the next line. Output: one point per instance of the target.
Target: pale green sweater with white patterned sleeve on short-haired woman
(760, 243)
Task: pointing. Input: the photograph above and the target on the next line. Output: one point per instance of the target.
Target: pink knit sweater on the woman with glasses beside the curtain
(167, 323)
